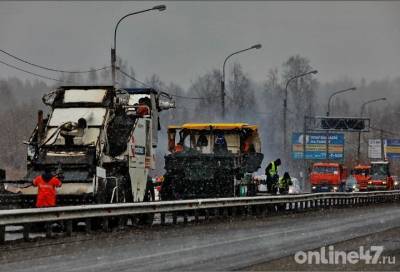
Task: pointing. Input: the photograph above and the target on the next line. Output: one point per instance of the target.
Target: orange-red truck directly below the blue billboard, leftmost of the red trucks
(328, 177)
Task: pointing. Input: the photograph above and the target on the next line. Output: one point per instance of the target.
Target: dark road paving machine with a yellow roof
(211, 160)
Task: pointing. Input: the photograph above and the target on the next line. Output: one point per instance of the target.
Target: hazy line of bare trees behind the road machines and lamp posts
(247, 100)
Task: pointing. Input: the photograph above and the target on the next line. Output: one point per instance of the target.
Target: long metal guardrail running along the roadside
(218, 206)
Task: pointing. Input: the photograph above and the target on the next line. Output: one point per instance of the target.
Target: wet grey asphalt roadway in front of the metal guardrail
(228, 245)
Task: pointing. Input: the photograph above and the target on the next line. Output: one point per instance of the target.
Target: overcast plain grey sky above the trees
(357, 39)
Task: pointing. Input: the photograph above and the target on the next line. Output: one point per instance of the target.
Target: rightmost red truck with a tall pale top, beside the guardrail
(380, 176)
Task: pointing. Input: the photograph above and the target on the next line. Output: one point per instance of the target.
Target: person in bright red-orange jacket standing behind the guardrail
(46, 184)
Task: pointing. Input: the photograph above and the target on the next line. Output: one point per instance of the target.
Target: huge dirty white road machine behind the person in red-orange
(99, 140)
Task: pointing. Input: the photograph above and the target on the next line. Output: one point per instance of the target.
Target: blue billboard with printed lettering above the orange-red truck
(316, 146)
